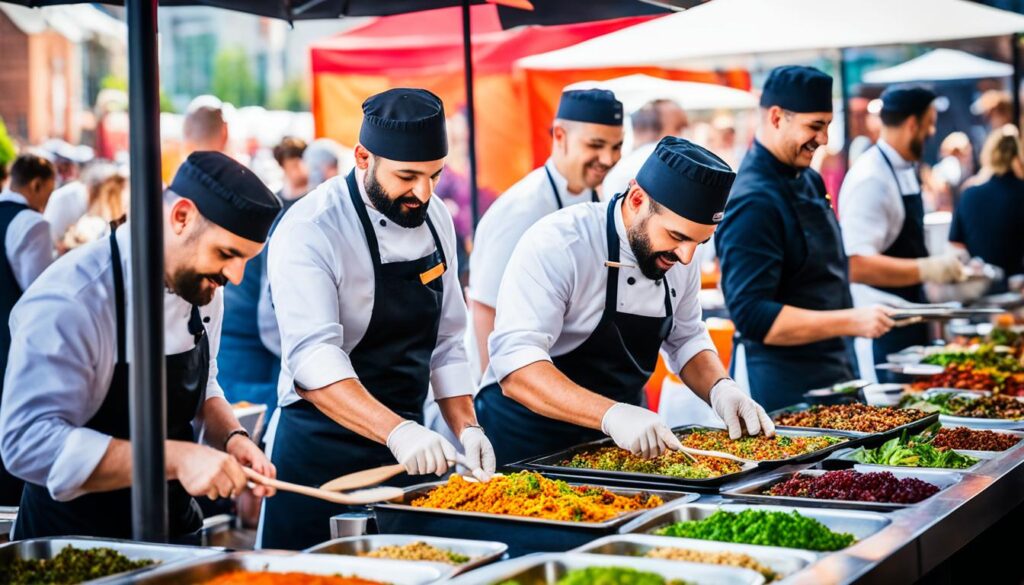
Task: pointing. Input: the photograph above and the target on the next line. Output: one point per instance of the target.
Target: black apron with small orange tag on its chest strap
(393, 362)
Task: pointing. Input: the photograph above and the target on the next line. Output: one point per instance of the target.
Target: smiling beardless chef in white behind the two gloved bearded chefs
(587, 142)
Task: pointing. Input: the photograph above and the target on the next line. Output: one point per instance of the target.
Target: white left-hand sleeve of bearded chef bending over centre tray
(533, 302)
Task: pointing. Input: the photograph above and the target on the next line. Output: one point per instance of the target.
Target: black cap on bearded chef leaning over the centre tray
(689, 180)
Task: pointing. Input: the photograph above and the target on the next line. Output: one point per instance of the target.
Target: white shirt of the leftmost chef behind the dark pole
(62, 363)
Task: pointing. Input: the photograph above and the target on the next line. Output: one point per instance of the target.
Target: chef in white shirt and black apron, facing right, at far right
(883, 219)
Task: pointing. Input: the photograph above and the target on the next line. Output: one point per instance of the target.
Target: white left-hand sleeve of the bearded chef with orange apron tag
(305, 277)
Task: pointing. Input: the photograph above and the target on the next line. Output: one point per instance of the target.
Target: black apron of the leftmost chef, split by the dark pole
(108, 515)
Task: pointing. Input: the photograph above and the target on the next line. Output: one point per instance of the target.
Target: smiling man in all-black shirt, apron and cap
(784, 271)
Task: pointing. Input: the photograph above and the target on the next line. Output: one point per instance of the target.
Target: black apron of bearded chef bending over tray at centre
(616, 362)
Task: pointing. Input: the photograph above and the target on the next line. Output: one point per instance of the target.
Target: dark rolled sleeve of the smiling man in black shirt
(751, 244)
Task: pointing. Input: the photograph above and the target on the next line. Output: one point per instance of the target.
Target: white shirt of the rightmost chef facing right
(871, 204)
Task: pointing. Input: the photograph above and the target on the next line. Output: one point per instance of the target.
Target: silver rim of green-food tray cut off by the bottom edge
(549, 569)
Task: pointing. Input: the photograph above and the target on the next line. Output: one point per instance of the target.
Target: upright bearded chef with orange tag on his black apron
(365, 283)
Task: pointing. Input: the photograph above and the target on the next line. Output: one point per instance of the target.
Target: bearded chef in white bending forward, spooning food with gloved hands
(591, 297)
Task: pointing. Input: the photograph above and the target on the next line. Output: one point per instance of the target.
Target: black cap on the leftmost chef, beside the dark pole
(228, 194)
